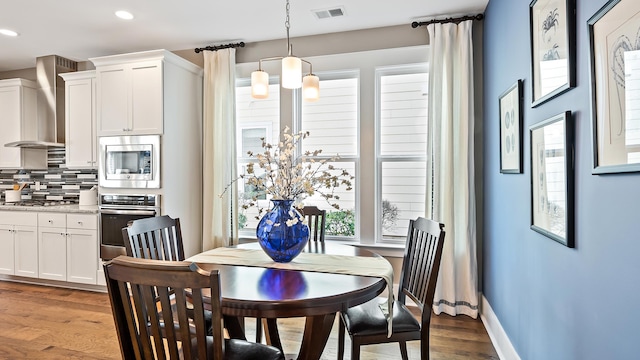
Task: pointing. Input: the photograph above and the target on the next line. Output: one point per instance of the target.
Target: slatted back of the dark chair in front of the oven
(157, 238)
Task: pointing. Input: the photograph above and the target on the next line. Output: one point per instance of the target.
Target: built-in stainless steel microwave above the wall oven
(129, 161)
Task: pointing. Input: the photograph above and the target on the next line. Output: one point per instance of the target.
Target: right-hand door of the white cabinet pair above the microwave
(146, 98)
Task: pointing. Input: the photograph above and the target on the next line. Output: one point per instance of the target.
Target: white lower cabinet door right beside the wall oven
(82, 256)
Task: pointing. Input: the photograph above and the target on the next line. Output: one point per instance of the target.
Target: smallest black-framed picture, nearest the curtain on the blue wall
(510, 105)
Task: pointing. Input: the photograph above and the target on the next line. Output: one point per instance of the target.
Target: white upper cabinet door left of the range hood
(11, 129)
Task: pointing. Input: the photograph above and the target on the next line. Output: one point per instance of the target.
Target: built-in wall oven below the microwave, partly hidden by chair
(116, 210)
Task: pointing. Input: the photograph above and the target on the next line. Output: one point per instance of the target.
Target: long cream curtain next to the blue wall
(450, 171)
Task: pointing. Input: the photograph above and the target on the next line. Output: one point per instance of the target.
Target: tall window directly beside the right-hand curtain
(402, 144)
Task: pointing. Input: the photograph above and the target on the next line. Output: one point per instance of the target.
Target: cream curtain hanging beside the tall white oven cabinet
(219, 168)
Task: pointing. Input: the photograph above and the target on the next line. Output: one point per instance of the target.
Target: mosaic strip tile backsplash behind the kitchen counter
(54, 183)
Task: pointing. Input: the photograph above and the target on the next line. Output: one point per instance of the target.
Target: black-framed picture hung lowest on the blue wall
(552, 184)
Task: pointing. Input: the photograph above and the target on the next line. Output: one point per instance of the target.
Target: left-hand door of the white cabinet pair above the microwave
(113, 95)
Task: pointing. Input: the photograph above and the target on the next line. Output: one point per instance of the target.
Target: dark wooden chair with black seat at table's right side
(366, 323)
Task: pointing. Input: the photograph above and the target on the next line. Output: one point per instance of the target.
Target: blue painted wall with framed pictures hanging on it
(555, 302)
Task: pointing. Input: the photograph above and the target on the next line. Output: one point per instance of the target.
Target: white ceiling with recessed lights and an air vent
(80, 29)
